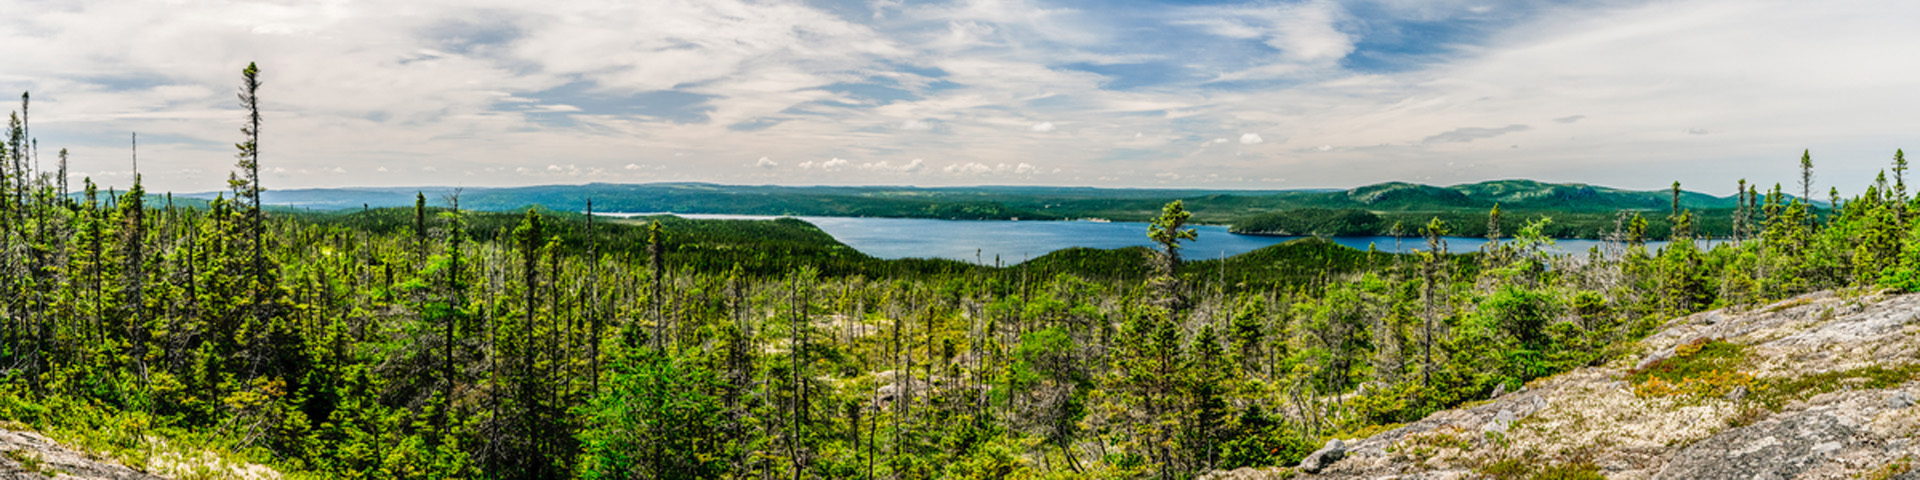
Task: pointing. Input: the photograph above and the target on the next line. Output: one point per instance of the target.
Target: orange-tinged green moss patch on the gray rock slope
(1698, 370)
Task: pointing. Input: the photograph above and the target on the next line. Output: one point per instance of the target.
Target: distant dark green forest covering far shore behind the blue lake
(1579, 210)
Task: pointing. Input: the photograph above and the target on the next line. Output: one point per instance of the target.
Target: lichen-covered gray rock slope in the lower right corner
(1817, 387)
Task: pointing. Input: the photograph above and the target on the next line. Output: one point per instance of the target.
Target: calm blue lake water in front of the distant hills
(1019, 241)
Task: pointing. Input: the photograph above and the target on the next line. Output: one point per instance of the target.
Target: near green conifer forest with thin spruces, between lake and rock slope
(448, 343)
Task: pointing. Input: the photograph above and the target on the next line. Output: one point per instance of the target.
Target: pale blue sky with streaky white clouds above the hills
(1074, 93)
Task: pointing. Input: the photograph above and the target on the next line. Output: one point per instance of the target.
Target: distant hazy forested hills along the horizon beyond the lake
(1011, 203)
